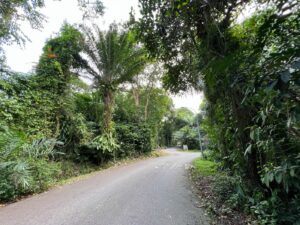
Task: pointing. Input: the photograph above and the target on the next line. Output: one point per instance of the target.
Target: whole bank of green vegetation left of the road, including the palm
(53, 125)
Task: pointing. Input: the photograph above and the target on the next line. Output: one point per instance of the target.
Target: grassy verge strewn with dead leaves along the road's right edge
(217, 192)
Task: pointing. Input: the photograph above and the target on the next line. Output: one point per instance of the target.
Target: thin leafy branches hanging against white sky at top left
(12, 12)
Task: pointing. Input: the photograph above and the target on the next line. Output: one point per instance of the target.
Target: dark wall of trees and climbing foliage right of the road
(249, 72)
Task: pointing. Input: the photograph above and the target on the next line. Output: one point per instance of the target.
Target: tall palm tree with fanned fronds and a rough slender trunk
(113, 58)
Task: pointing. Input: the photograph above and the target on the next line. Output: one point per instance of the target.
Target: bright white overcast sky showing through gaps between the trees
(57, 12)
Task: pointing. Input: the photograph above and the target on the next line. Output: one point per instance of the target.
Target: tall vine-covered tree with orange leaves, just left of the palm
(56, 69)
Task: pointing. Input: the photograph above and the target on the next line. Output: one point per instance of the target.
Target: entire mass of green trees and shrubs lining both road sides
(248, 69)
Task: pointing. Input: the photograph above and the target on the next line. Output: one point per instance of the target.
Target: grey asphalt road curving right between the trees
(148, 192)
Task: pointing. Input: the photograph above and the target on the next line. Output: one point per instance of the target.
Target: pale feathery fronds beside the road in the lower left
(25, 167)
